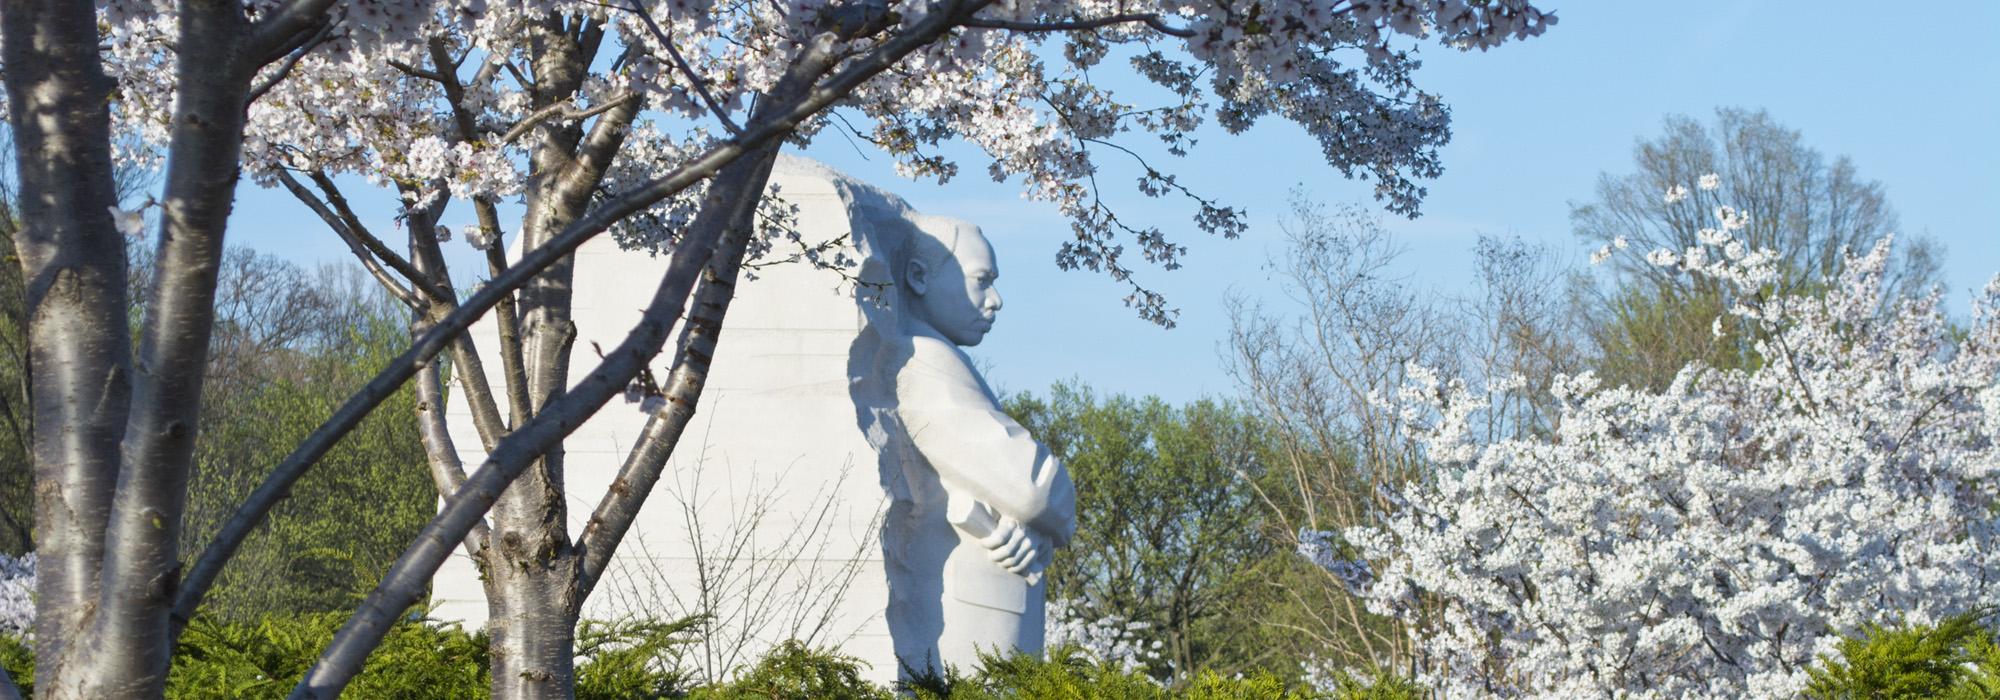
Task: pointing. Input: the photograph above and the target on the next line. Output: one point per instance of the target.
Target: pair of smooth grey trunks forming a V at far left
(115, 439)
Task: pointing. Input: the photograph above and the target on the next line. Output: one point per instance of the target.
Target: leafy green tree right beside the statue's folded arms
(1171, 533)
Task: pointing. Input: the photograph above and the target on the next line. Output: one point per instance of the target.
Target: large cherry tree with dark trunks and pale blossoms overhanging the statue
(657, 121)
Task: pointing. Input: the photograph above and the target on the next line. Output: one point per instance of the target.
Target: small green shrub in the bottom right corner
(1955, 659)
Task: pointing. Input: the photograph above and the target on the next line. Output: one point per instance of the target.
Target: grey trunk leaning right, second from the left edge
(129, 639)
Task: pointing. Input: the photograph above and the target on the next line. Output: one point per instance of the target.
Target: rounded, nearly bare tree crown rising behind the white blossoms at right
(1645, 321)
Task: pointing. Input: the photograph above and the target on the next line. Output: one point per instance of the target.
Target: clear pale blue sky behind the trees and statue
(1911, 97)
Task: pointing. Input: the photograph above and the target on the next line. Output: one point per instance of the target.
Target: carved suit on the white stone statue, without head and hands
(947, 439)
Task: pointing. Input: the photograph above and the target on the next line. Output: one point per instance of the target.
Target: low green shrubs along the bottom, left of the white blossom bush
(639, 659)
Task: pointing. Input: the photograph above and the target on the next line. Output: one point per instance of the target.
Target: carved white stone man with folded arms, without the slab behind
(977, 505)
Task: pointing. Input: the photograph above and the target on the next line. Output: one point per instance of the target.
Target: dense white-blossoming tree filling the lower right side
(1717, 537)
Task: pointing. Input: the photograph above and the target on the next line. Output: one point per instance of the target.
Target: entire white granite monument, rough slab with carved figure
(849, 479)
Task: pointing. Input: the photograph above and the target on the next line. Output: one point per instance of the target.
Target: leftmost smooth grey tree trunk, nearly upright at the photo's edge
(75, 269)
